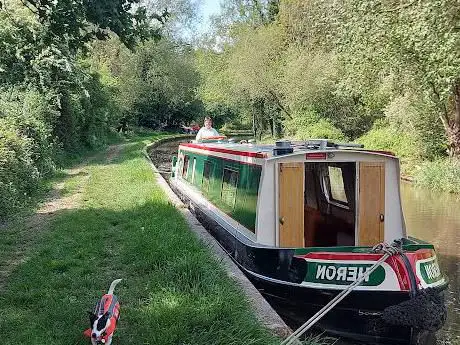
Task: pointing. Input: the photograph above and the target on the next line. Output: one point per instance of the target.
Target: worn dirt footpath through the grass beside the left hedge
(29, 231)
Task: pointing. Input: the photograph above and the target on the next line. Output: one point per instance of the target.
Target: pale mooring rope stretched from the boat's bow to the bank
(388, 251)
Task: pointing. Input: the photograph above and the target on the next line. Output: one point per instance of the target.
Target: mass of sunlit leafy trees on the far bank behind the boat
(343, 67)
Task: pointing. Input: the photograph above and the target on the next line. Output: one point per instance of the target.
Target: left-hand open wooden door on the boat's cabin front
(291, 204)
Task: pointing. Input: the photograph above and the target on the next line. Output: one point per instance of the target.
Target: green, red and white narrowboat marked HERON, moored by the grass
(301, 221)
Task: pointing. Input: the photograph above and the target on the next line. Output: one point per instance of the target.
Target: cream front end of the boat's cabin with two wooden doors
(329, 198)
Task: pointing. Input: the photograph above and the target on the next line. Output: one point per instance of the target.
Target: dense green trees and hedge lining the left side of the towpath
(53, 97)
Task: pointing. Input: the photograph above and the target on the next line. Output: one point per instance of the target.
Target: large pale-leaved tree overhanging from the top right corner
(413, 42)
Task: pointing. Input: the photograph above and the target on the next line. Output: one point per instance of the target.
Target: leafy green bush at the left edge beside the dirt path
(27, 148)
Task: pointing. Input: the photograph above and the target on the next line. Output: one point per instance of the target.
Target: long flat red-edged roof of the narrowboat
(267, 150)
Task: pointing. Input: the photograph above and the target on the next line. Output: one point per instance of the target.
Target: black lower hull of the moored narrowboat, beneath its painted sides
(278, 277)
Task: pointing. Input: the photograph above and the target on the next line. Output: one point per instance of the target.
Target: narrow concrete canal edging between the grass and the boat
(265, 314)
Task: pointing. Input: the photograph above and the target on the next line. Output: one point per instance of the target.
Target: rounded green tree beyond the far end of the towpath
(159, 85)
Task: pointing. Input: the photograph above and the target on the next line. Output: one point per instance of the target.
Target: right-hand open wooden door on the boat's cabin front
(371, 203)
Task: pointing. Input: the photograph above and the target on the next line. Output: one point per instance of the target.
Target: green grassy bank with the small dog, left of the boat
(172, 292)
